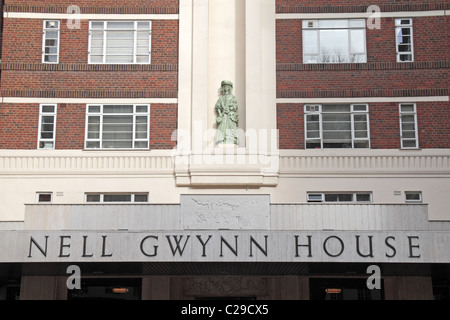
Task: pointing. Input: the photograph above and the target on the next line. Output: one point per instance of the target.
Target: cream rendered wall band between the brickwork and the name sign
(70, 174)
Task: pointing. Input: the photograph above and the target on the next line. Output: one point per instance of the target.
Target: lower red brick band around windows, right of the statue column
(433, 125)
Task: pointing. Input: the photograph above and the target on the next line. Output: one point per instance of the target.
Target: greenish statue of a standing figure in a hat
(227, 119)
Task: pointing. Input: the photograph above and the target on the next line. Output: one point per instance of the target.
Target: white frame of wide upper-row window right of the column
(314, 25)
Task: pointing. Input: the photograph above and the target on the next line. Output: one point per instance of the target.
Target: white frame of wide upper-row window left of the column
(105, 30)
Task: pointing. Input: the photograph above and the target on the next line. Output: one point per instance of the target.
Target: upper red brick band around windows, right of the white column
(381, 72)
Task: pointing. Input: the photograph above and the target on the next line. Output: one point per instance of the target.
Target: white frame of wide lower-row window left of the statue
(101, 114)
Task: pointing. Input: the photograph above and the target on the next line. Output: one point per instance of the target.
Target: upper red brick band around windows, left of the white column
(24, 72)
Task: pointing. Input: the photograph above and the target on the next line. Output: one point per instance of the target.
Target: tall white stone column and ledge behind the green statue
(226, 40)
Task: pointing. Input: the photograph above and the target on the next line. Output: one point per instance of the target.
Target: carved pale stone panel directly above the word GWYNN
(225, 212)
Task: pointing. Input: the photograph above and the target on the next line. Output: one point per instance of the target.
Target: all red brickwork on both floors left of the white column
(23, 74)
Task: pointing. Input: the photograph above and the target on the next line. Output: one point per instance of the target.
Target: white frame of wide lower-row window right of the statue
(354, 110)
